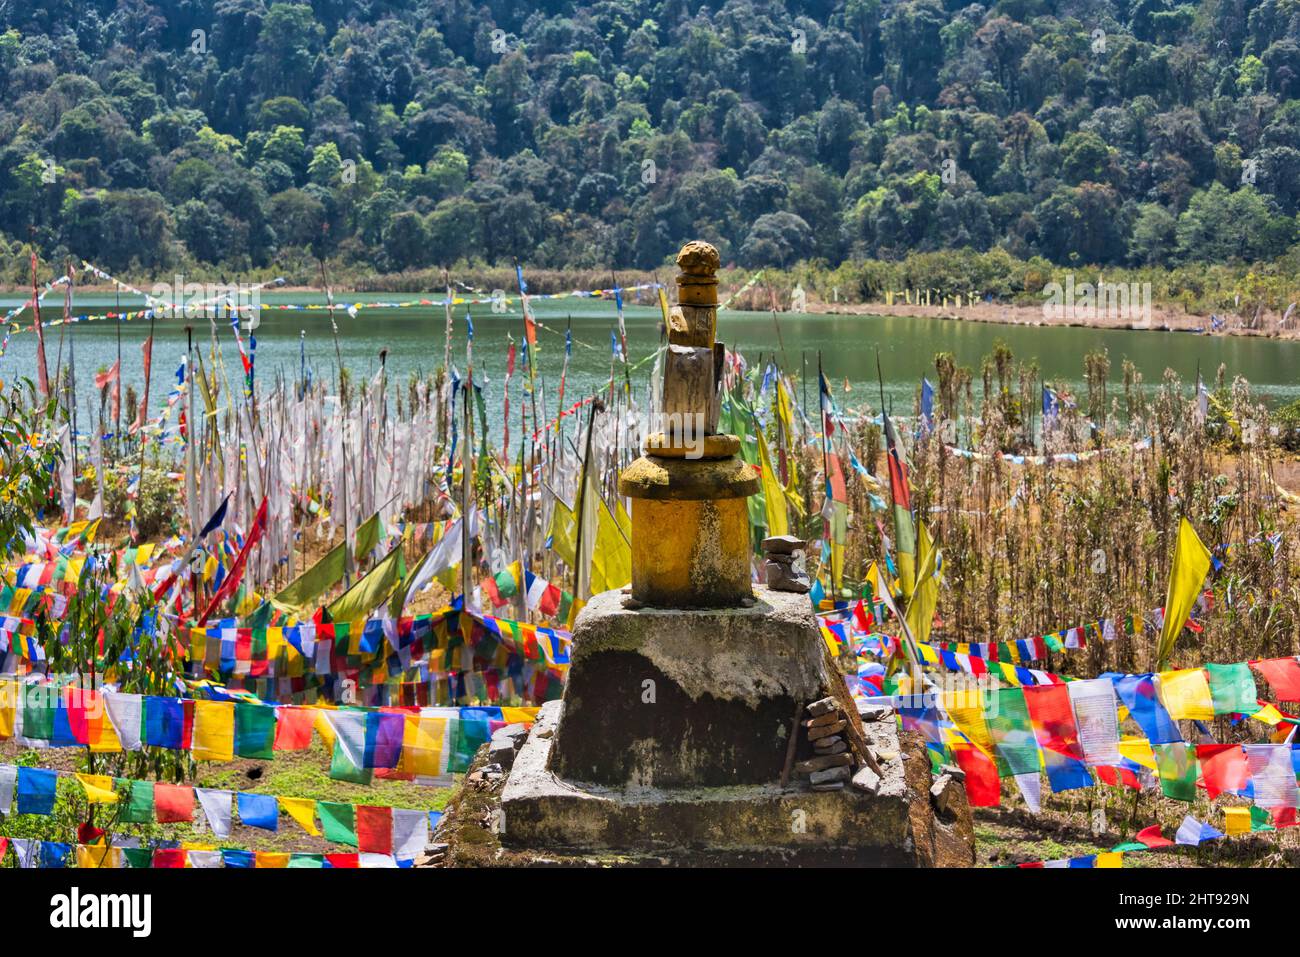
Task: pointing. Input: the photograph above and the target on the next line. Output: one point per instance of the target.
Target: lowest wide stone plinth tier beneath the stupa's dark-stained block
(548, 820)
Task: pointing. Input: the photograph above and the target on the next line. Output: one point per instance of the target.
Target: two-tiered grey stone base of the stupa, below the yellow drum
(695, 776)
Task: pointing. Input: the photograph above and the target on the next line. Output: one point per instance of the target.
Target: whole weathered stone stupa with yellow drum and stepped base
(704, 716)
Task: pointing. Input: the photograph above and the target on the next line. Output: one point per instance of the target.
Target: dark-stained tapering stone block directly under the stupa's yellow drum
(677, 699)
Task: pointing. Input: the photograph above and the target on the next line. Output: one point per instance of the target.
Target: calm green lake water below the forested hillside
(847, 344)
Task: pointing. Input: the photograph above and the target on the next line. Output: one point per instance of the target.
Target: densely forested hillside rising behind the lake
(389, 136)
